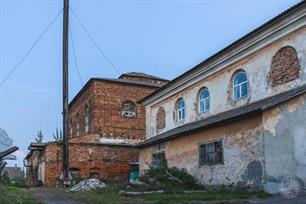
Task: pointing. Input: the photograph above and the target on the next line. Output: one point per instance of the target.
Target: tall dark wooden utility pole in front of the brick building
(65, 172)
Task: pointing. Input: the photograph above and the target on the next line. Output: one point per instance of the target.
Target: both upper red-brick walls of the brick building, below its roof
(105, 101)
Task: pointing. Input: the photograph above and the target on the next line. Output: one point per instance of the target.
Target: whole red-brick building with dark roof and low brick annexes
(105, 122)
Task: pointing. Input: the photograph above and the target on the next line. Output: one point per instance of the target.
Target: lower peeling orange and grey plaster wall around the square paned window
(243, 153)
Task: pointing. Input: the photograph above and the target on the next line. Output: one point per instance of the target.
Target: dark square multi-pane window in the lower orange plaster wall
(211, 153)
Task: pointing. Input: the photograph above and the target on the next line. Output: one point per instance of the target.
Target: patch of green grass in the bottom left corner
(15, 195)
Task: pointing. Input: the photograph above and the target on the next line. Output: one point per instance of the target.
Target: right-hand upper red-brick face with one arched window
(107, 119)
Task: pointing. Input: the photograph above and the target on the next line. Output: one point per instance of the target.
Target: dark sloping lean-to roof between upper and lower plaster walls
(225, 117)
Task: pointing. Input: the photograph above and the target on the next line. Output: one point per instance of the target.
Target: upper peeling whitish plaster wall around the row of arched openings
(257, 67)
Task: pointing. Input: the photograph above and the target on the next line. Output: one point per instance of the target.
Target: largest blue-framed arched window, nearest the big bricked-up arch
(240, 85)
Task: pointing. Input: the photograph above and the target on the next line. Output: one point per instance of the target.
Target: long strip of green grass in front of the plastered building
(110, 195)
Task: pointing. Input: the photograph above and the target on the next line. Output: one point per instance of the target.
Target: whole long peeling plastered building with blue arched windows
(239, 117)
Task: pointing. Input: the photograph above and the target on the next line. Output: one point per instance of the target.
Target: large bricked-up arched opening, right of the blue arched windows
(284, 66)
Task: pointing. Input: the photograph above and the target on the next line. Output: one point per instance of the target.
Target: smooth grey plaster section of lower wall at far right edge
(285, 143)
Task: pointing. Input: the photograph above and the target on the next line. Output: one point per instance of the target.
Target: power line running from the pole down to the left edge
(31, 48)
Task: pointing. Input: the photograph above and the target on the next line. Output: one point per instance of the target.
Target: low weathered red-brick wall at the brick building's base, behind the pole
(111, 162)
